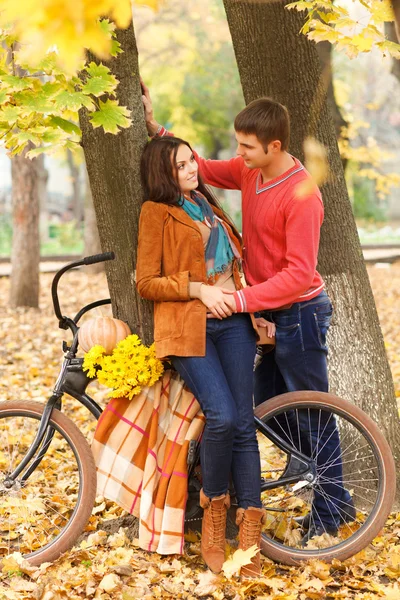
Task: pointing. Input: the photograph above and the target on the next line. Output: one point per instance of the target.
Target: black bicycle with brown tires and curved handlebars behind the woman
(48, 475)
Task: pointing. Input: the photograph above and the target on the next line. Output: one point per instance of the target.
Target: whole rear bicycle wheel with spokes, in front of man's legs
(368, 475)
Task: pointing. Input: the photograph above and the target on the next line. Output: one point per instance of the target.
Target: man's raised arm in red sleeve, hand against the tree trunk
(224, 174)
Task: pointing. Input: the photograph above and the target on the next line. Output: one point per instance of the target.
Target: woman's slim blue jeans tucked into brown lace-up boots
(222, 381)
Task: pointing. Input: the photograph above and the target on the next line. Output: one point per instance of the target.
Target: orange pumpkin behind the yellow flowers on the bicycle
(105, 331)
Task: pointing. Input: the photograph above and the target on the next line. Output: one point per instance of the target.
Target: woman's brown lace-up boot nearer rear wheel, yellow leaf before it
(250, 522)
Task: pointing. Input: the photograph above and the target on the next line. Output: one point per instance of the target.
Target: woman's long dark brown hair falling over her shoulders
(157, 172)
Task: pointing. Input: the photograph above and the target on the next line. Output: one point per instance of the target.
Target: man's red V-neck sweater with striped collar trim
(281, 230)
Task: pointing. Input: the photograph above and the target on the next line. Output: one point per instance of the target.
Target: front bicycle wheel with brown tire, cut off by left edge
(42, 517)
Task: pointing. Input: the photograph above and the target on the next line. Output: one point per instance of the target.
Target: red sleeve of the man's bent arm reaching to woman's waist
(302, 241)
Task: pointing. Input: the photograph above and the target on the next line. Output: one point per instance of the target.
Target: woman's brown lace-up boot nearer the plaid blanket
(213, 530)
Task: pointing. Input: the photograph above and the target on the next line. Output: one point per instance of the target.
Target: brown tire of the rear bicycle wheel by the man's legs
(364, 530)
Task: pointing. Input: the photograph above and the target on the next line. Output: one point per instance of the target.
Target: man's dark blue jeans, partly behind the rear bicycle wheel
(299, 362)
